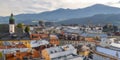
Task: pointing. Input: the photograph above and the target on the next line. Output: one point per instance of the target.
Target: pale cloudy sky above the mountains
(36, 6)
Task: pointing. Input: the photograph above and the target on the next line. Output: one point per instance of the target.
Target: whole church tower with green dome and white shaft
(11, 24)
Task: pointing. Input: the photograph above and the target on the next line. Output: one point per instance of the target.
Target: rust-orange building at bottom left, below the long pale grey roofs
(20, 55)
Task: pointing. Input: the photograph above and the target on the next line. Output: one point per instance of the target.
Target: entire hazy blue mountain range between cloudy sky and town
(97, 13)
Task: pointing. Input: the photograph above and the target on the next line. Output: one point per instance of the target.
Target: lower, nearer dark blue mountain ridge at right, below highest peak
(96, 19)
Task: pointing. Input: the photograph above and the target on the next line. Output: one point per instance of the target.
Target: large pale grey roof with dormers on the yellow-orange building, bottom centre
(55, 52)
